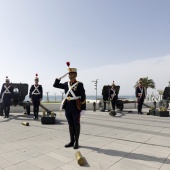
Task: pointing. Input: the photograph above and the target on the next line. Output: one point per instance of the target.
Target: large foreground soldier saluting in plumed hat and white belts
(74, 104)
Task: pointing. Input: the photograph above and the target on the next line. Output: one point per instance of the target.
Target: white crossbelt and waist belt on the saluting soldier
(66, 96)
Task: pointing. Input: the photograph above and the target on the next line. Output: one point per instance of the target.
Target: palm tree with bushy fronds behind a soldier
(146, 83)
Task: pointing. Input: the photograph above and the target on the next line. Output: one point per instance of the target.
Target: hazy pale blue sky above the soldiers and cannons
(39, 36)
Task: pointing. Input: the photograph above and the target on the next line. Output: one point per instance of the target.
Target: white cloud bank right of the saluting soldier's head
(127, 74)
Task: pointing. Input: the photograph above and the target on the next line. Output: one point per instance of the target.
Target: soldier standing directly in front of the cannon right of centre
(113, 95)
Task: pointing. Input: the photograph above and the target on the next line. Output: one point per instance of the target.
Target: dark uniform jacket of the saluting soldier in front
(78, 90)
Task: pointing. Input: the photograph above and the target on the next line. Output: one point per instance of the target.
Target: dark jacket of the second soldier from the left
(36, 94)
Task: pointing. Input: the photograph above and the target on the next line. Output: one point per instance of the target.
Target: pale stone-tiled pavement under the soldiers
(126, 142)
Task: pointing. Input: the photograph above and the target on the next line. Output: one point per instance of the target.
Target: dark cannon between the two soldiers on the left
(20, 91)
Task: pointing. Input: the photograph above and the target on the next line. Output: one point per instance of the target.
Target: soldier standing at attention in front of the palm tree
(140, 95)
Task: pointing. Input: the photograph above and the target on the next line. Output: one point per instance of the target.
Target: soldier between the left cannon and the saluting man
(36, 95)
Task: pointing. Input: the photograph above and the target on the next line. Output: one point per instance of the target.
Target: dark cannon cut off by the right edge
(165, 98)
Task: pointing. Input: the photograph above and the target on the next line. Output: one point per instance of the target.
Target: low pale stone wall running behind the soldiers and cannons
(89, 106)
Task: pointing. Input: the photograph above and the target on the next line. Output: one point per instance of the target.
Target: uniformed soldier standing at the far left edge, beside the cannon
(6, 96)
